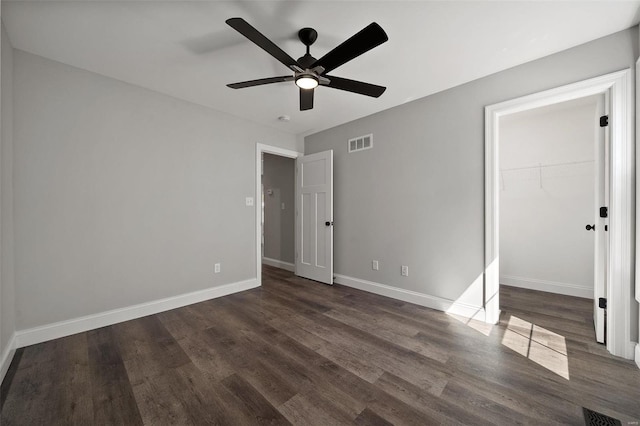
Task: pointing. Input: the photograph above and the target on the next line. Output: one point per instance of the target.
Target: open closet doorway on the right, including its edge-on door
(552, 238)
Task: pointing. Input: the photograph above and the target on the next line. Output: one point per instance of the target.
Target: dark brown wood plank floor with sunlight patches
(299, 352)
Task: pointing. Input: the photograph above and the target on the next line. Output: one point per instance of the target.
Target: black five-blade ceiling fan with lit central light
(310, 72)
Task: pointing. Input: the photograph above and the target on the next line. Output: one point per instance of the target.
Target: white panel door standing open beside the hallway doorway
(314, 216)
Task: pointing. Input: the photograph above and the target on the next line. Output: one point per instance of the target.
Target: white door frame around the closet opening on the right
(622, 197)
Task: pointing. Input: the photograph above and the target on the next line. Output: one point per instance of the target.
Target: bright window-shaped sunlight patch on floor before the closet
(544, 347)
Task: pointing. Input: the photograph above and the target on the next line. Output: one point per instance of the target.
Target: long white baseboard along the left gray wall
(90, 322)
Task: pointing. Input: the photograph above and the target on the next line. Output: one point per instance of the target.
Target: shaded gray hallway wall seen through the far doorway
(279, 226)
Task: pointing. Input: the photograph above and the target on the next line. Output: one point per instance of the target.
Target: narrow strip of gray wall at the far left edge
(7, 289)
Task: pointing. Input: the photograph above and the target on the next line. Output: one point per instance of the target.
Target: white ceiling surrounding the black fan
(186, 50)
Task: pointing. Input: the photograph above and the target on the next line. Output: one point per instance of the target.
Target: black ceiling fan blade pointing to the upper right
(371, 36)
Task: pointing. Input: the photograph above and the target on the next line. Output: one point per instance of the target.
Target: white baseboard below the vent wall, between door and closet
(433, 302)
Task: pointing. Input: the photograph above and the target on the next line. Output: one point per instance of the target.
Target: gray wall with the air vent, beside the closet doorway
(417, 197)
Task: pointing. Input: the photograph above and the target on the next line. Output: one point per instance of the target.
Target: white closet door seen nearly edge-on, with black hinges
(601, 260)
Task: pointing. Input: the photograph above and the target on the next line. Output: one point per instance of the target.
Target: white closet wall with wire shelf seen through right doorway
(547, 197)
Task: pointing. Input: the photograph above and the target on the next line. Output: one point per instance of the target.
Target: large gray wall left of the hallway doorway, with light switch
(124, 195)
